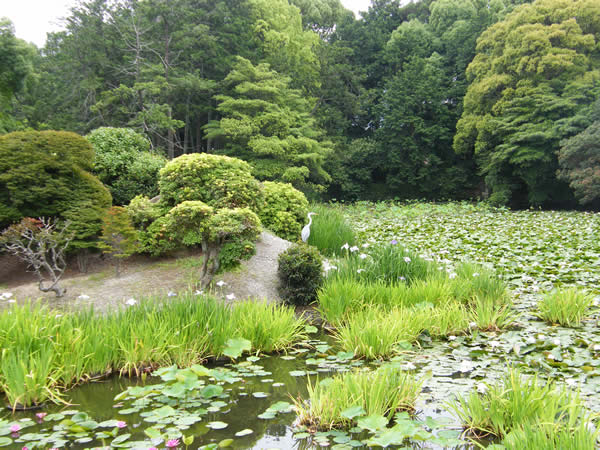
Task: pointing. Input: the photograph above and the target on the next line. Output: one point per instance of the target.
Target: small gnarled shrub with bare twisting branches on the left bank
(41, 243)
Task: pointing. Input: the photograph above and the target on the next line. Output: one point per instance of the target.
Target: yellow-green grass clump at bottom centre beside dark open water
(381, 392)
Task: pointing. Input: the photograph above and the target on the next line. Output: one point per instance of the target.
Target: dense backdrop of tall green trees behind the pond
(379, 106)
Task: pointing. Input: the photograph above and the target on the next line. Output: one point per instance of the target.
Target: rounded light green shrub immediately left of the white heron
(283, 209)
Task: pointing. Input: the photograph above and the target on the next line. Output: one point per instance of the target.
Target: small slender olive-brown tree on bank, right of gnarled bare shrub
(118, 239)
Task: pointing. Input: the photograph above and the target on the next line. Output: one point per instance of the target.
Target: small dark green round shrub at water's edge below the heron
(300, 274)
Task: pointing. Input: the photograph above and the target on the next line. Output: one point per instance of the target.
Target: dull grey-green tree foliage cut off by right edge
(579, 162)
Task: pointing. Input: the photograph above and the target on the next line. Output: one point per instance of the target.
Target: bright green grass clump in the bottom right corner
(516, 403)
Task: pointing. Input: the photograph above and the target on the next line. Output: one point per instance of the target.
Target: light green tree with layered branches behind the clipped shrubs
(268, 123)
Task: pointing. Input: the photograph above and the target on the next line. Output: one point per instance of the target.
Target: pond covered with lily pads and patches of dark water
(533, 251)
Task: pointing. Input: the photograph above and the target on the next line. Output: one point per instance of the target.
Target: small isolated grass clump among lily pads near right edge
(566, 307)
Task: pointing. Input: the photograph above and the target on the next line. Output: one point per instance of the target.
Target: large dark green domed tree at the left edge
(46, 174)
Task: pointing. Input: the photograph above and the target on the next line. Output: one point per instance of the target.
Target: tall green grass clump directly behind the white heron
(329, 230)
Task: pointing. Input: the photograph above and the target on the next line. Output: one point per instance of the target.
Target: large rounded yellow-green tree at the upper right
(532, 76)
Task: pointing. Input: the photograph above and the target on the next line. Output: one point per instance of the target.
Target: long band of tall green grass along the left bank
(44, 352)
